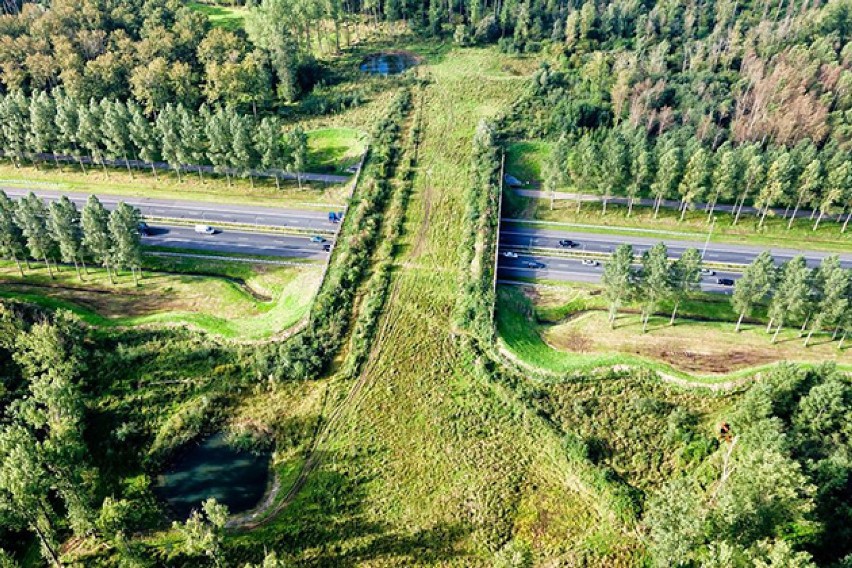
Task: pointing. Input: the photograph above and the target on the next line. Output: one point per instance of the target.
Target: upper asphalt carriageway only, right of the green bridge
(518, 238)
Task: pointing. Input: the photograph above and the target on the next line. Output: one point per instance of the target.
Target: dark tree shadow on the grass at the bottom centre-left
(328, 524)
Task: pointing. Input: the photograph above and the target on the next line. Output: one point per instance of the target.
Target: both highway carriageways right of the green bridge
(556, 267)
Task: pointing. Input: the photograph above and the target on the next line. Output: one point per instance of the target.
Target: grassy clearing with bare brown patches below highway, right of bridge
(564, 330)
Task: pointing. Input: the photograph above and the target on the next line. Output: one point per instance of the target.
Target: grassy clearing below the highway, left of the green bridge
(232, 300)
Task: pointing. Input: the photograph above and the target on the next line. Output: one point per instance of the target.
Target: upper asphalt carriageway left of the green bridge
(210, 213)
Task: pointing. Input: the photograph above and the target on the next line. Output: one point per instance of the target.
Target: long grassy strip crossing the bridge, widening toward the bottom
(429, 462)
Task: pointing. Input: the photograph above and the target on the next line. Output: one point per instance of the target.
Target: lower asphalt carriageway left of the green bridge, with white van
(236, 242)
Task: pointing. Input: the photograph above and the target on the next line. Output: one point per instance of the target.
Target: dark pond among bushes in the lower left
(211, 468)
